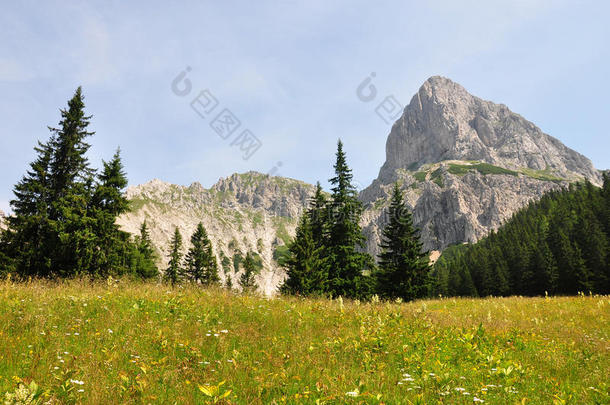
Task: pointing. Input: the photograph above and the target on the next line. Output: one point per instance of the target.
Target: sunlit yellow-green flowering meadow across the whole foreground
(146, 343)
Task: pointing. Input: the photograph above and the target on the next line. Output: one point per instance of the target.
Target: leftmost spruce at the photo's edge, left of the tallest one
(25, 246)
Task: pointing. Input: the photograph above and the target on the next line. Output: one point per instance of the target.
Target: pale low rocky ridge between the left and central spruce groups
(242, 213)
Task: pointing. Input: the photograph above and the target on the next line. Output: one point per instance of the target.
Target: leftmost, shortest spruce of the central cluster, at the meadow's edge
(304, 267)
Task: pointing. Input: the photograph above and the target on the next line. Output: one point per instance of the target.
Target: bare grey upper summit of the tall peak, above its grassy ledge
(445, 122)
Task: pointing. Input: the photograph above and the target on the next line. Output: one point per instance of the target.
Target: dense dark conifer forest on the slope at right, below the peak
(558, 245)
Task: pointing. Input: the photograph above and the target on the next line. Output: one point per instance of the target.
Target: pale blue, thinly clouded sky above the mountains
(288, 71)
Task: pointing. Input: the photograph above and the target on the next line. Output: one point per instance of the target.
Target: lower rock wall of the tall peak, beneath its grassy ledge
(453, 208)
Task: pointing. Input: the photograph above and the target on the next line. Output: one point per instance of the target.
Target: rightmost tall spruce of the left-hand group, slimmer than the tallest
(107, 204)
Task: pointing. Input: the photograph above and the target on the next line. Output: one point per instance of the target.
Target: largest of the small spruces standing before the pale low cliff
(201, 264)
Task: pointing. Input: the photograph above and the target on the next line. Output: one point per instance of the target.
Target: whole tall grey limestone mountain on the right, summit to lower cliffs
(466, 165)
